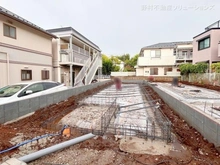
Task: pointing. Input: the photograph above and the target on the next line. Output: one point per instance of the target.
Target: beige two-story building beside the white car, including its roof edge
(25, 50)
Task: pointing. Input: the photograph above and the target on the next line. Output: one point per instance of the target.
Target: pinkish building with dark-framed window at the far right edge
(206, 46)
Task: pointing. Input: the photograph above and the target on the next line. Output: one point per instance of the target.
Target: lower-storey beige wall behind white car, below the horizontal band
(11, 70)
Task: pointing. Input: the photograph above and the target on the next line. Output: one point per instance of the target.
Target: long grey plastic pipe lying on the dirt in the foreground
(46, 151)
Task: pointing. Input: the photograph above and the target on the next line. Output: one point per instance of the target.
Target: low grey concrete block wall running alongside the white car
(18, 109)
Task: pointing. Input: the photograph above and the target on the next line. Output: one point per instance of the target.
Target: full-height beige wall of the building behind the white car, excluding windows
(31, 50)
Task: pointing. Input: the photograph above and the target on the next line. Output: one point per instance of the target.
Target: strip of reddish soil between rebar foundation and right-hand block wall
(202, 151)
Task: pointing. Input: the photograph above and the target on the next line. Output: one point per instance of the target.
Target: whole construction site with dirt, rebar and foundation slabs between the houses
(132, 125)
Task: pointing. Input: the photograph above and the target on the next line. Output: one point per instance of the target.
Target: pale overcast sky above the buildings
(122, 26)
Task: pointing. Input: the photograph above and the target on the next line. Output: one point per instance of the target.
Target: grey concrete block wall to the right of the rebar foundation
(203, 123)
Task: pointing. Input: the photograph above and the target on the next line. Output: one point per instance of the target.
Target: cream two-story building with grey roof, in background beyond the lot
(162, 59)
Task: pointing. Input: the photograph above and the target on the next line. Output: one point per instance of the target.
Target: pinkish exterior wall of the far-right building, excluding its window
(210, 53)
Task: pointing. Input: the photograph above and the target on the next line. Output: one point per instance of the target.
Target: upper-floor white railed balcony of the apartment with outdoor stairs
(76, 55)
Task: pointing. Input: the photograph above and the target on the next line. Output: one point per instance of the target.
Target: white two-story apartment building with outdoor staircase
(75, 58)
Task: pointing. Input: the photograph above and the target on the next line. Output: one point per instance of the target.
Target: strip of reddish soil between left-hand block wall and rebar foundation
(43, 121)
